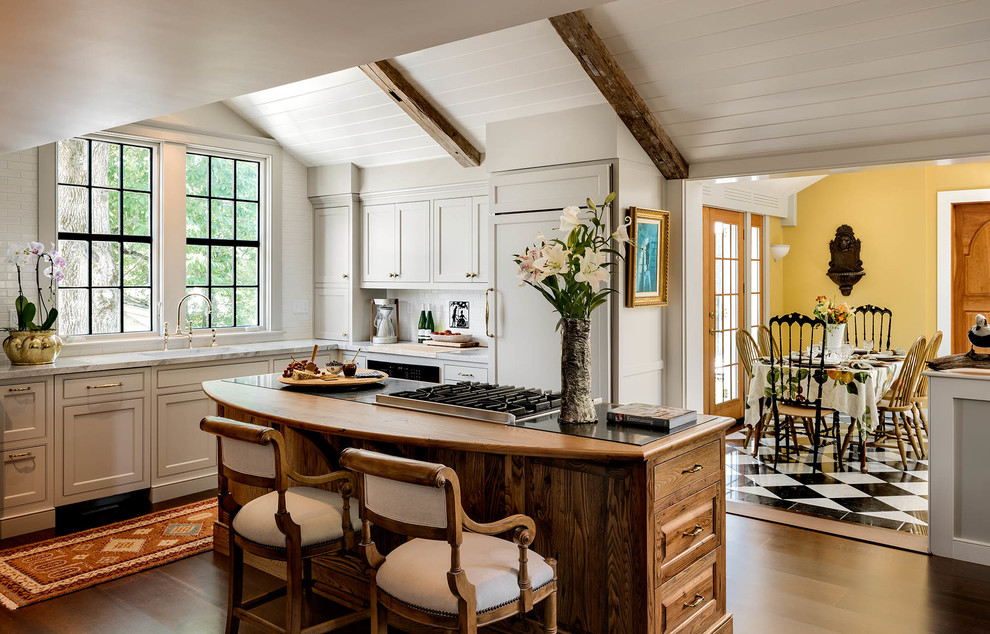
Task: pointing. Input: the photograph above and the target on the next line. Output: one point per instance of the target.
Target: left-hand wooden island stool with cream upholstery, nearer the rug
(288, 524)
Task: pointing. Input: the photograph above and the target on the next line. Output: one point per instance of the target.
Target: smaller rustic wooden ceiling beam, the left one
(417, 106)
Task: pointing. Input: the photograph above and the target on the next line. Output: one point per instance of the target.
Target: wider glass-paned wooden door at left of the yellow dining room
(724, 294)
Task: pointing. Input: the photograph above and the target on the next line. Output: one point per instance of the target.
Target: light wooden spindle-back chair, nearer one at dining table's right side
(899, 403)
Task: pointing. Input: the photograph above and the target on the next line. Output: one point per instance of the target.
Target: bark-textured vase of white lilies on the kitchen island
(572, 272)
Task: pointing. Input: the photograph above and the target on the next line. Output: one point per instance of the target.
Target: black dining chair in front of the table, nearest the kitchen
(796, 384)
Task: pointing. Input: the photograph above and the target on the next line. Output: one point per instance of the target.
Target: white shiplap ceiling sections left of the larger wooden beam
(344, 117)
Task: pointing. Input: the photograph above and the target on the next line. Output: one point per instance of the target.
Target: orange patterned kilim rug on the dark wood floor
(40, 571)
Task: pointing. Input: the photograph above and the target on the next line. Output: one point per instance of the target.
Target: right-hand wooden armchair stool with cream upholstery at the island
(454, 574)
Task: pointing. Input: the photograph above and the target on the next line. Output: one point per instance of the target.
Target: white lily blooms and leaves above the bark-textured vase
(572, 271)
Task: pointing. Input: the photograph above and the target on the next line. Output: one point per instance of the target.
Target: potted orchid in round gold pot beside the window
(34, 341)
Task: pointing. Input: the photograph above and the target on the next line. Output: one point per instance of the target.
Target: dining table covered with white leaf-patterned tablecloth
(854, 388)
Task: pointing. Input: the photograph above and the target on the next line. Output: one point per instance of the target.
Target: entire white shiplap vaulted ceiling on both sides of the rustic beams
(726, 79)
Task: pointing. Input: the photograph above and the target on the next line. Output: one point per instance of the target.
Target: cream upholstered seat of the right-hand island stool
(415, 573)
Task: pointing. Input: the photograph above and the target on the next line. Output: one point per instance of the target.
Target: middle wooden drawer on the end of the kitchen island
(687, 531)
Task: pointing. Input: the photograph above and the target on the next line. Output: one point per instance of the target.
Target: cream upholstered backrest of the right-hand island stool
(408, 497)
